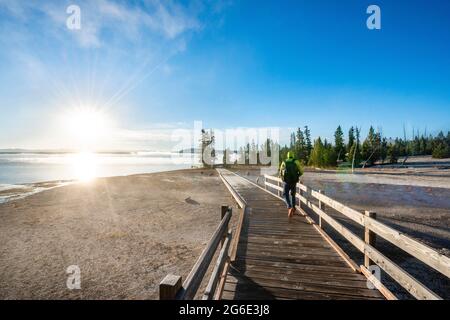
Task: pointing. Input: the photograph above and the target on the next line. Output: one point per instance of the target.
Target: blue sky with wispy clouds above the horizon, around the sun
(154, 66)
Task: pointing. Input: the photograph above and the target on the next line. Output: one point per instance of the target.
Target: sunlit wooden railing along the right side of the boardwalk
(372, 228)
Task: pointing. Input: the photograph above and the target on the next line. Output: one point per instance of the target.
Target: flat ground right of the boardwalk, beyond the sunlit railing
(413, 200)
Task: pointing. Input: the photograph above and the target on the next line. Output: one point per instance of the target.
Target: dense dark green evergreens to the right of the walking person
(373, 149)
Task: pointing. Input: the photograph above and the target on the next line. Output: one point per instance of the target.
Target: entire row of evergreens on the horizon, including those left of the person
(352, 150)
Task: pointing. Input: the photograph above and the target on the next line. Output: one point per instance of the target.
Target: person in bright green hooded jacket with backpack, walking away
(290, 172)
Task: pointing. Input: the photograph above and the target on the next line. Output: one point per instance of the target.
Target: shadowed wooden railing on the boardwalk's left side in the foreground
(172, 288)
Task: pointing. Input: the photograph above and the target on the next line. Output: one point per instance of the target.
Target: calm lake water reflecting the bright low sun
(21, 168)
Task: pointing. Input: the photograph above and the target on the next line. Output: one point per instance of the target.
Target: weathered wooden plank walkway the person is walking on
(281, 259)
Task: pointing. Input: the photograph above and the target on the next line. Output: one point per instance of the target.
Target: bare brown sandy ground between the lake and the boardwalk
(125, 234)
